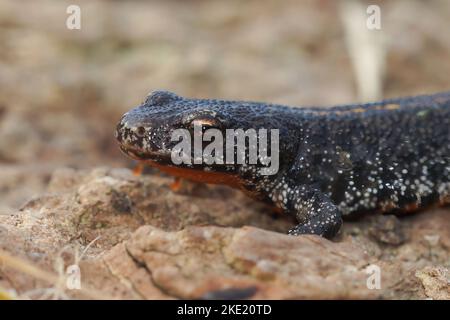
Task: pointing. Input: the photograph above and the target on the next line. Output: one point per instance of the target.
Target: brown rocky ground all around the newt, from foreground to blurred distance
(68, 197)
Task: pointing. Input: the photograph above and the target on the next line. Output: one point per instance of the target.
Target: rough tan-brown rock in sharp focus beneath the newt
(211, 242)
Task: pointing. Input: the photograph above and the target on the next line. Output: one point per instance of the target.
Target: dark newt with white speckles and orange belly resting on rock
(391, 156)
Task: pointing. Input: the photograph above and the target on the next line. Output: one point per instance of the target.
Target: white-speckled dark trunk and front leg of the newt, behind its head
(360, 163)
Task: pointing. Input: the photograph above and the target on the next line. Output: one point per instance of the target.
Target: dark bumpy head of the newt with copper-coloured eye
(149, 131)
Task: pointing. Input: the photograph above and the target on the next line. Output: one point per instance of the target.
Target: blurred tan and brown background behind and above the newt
(62, 91)
